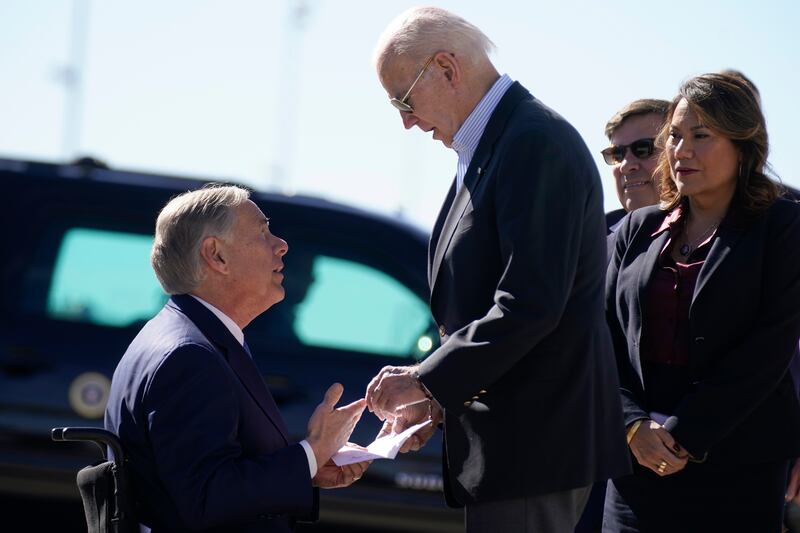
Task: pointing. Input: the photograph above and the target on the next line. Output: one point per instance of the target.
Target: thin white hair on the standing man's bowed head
(422, 31)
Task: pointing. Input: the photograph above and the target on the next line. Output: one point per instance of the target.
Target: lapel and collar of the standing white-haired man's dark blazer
(472, 178)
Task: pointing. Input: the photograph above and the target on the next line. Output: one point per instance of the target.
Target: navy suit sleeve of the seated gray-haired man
(192, 414)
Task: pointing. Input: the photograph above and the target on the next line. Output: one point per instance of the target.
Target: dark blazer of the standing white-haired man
(525, 372)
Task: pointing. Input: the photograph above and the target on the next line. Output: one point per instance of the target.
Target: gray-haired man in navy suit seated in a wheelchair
(207, 447)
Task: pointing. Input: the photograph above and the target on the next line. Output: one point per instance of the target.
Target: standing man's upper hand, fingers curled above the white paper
(392, 387)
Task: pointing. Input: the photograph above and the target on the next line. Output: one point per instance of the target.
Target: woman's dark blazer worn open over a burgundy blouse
(744, 325)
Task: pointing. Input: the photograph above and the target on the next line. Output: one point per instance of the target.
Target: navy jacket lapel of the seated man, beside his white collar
(239, 360)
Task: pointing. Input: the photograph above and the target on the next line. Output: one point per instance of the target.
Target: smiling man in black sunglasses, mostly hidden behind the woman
(633, 156)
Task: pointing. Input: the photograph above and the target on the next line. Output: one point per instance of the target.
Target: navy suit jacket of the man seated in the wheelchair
(207, 445)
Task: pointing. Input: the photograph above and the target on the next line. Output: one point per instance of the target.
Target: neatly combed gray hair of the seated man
(181, 227)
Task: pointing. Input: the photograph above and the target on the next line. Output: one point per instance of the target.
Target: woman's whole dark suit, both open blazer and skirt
(741, 415)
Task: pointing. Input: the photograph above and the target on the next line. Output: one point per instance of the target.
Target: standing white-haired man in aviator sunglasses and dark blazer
(524, 376)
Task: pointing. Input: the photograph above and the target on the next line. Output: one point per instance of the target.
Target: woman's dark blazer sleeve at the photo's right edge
(750, 371)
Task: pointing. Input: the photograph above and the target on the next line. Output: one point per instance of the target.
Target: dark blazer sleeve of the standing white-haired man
(541, 190)
